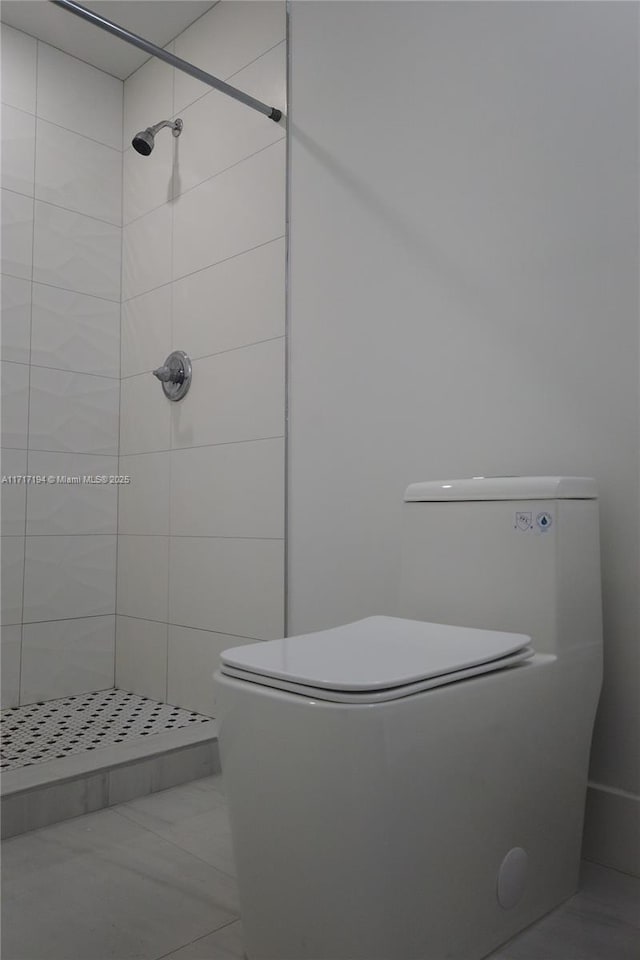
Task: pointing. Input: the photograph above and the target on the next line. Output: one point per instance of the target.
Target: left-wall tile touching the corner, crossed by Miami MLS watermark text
(66, 508)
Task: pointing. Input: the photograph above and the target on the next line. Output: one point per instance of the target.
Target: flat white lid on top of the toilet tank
(503, 488)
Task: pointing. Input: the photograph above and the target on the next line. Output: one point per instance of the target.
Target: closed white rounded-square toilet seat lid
(373, 655)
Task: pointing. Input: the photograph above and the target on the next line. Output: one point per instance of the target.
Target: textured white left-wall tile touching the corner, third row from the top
(76, 252)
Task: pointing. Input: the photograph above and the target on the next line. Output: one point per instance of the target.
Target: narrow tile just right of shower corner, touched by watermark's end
(143, 506)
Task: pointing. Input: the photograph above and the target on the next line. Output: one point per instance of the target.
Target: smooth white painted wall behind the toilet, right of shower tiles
(464, 299)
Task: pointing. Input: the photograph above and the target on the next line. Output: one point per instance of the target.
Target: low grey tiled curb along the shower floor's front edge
(45, 793)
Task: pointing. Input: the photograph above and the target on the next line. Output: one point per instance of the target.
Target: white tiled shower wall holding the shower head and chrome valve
(201, 525)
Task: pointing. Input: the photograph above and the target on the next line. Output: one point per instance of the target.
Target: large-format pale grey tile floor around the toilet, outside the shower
(154, 878)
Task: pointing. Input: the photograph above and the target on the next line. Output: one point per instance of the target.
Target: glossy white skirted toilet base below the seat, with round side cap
(377, 832)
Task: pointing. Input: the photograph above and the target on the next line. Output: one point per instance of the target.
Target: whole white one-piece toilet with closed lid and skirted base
(410, 790)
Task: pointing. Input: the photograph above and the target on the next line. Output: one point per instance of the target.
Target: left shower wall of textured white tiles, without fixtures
(61, 257)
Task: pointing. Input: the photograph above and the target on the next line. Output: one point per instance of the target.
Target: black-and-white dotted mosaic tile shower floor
(54, 729)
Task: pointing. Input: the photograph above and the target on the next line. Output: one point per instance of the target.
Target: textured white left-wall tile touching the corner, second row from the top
(77, 173)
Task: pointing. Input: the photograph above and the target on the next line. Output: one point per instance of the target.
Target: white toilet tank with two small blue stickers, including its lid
(519, 554)
